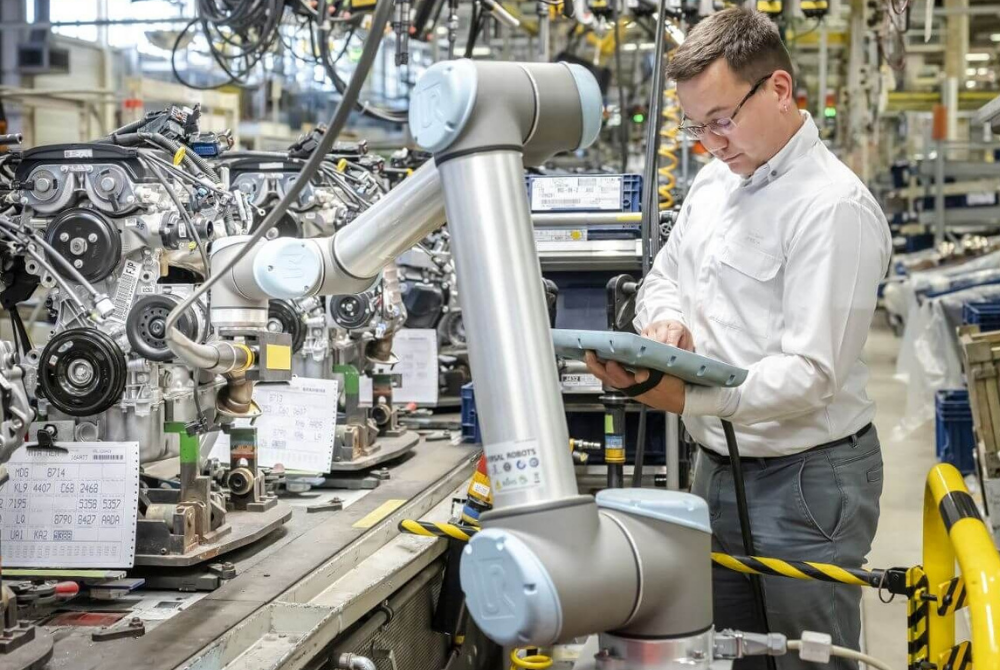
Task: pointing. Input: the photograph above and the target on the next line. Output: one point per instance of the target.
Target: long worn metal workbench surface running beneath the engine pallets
(293, 565)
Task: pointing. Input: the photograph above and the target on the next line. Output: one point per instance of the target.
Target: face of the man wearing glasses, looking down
(714, 94)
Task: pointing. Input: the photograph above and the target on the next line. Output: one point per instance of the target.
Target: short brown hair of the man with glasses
(746, 38)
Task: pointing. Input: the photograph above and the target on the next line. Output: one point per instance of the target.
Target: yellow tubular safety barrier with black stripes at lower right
(954, 530)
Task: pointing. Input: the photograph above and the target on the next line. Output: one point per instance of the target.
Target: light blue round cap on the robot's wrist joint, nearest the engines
(287, 267)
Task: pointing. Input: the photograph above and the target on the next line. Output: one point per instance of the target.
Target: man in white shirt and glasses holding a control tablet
(773, 265)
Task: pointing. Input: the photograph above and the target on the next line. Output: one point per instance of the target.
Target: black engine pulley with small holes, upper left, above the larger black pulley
(87, 240)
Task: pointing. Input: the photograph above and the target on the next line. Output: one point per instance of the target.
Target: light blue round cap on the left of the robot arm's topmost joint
(442, 103)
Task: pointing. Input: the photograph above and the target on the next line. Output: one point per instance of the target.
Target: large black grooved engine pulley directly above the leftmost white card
(82, 372)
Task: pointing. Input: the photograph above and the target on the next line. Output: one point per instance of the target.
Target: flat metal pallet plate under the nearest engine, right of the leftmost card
(243, 529)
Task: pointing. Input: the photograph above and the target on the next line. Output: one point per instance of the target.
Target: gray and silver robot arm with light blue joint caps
(546, 555)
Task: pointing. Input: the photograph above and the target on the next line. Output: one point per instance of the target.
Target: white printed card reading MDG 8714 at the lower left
(74, 506)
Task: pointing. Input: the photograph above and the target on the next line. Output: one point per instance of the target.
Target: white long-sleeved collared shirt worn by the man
(777, 273)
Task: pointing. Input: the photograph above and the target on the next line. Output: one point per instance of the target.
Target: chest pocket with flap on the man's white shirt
(747, 294)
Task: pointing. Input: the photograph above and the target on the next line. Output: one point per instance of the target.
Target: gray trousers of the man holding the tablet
(820, 506)
